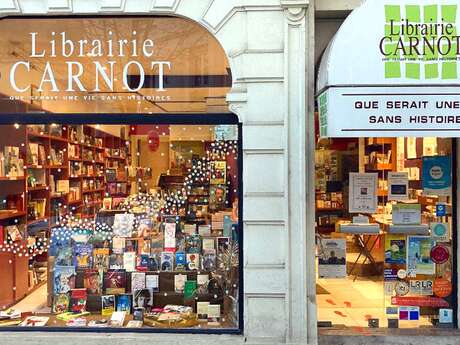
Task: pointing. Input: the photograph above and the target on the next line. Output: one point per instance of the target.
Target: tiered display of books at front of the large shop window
(151, 261)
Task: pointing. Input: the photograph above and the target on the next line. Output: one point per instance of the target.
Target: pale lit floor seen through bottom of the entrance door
(351, 304)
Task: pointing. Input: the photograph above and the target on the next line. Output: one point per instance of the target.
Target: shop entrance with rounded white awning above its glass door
(386, 168)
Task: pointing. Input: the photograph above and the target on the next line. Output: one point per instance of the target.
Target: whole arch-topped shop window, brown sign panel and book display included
(119, 178)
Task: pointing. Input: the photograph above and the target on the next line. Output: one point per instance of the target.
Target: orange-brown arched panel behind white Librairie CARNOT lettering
(191, 50)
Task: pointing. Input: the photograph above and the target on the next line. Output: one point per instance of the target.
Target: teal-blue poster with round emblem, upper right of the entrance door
(437, 175)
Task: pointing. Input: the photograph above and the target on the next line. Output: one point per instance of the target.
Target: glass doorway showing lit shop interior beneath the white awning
(391, 266)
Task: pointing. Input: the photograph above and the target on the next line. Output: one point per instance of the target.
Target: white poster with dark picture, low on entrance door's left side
(332, 261)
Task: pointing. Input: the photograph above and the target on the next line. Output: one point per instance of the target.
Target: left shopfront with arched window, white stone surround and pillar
(128, 130)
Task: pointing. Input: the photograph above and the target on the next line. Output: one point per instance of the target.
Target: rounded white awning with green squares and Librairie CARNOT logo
(392, 69)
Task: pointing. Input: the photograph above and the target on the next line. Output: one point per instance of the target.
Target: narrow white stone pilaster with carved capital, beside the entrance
(296, 104)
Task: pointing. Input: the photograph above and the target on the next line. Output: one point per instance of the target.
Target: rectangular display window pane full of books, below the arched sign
(104, 225)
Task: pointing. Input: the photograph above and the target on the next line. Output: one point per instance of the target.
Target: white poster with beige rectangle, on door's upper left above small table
(363, 193)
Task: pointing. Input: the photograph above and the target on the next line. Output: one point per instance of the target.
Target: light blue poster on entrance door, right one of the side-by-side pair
(418, 255)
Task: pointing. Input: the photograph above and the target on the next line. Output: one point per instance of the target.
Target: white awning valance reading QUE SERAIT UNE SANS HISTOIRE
(391, 112)
